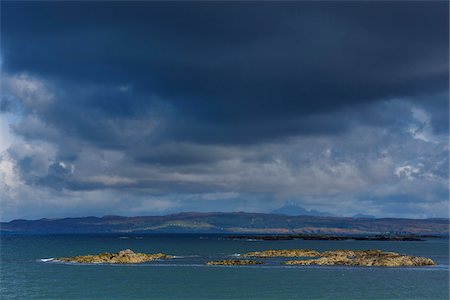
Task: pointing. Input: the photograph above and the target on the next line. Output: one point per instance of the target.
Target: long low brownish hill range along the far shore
(216, 222)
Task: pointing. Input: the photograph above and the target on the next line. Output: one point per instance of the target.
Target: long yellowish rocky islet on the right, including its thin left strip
(368, 258)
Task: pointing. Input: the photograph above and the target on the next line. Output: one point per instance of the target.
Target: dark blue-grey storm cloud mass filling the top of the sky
(233, 72)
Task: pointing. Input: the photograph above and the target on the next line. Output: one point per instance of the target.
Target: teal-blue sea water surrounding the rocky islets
(25, 276)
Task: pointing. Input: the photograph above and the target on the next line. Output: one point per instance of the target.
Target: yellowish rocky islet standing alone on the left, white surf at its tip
(123, 257)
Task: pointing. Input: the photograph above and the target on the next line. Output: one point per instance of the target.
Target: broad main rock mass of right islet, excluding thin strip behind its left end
(368, 258)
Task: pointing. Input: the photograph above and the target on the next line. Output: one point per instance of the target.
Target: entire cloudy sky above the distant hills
(150, 108)
